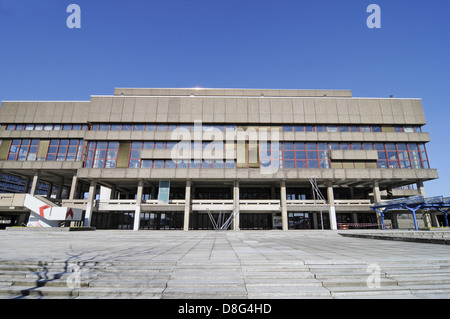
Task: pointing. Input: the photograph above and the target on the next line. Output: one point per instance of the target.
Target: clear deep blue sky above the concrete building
(301, 44)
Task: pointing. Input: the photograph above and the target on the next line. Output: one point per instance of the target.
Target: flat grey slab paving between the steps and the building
(242, 247)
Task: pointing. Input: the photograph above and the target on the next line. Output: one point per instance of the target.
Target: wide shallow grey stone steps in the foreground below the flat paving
(397, 279)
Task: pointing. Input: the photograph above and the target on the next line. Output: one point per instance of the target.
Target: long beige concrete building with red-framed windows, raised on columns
(175, 158)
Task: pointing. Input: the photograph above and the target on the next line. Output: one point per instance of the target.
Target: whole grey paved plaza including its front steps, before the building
(229, 264)
